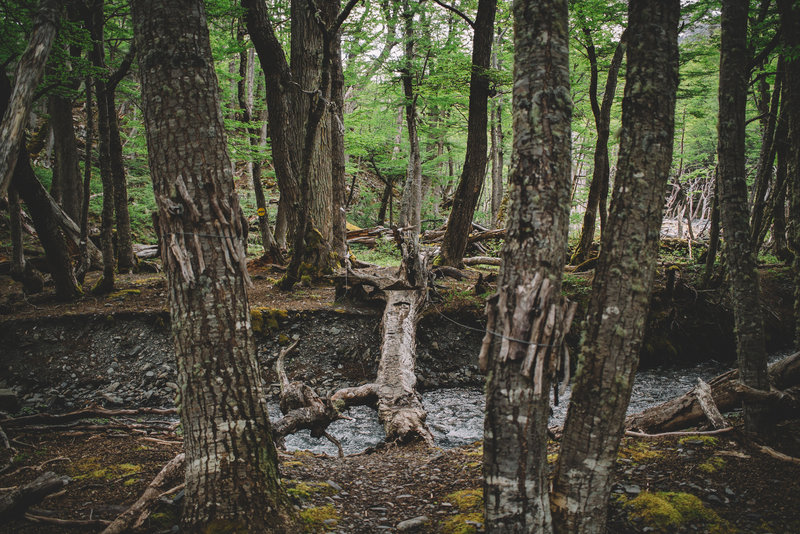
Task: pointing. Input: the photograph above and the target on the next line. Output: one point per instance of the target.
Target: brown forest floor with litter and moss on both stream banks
(725, 483)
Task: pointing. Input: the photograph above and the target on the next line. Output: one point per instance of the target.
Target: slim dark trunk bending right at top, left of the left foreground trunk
(126, 259)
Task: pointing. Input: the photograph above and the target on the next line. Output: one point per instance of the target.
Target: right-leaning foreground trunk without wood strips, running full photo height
(623, 280)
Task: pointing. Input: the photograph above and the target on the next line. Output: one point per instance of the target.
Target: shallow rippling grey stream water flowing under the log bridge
(455, 415)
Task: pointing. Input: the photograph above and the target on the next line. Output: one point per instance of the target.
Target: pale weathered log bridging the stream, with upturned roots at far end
(394, 391)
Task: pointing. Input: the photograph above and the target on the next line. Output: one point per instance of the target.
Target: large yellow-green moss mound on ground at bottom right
(669, 511)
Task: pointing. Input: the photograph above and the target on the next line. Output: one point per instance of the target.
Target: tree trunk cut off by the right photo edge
(790, 32)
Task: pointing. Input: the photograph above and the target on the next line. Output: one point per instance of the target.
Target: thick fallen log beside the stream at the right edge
(726, 391)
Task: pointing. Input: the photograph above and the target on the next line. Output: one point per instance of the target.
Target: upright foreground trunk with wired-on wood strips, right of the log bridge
(517, 404)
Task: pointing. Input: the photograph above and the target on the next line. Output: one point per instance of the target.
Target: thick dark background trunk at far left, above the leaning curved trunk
(66, 172)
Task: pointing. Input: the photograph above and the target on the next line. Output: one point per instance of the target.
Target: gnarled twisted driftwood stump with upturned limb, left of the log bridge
(302, 408)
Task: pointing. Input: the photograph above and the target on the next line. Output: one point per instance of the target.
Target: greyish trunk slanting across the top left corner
(29, 71)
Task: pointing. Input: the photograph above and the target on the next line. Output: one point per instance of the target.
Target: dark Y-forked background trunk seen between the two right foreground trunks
(598, 190)
